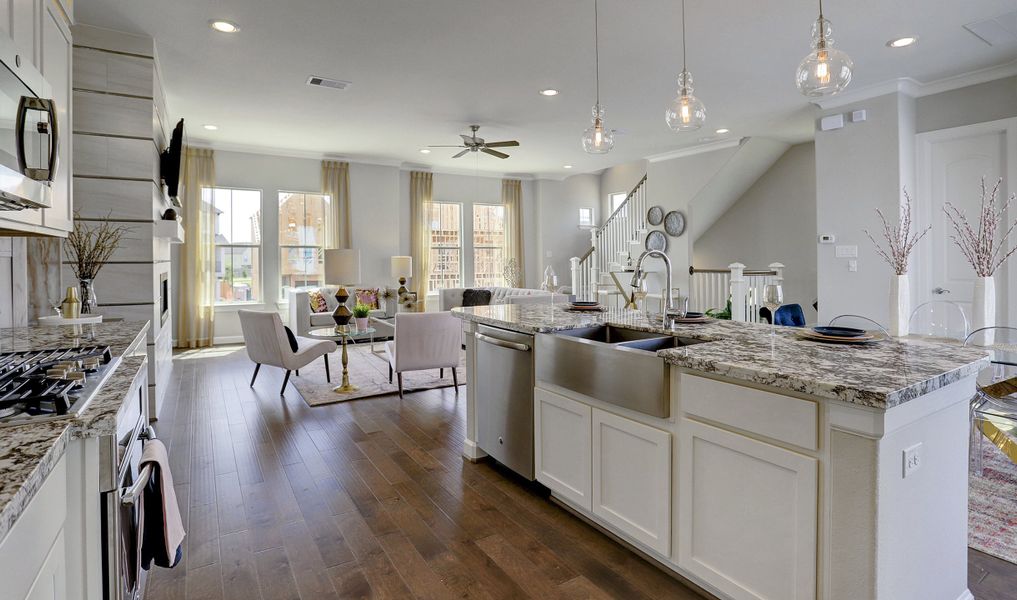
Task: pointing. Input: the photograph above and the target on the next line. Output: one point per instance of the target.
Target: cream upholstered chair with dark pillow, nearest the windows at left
(268, 343)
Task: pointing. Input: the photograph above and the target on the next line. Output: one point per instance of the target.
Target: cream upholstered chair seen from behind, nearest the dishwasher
(425, 341)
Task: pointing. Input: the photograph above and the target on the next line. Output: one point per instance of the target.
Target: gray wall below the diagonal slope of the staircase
(773, 222)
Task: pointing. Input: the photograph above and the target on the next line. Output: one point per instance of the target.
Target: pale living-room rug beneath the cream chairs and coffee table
(370, 373)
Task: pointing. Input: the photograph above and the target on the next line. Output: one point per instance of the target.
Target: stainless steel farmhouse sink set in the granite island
(613, 365)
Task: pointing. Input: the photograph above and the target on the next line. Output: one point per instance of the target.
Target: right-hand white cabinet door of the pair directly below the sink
(632, 479)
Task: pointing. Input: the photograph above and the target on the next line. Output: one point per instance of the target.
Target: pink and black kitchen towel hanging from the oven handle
(163, 528)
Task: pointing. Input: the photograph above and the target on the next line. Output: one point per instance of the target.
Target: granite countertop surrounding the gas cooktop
(29, 453)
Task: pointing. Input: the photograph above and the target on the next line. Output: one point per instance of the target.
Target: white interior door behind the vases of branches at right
(951, 164)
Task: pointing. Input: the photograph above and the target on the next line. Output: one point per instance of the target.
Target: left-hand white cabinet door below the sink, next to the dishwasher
(563, 447)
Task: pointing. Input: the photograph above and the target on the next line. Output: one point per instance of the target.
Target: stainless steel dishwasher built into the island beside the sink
(505, 397)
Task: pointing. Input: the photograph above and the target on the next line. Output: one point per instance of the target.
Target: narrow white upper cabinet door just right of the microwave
(56, 69)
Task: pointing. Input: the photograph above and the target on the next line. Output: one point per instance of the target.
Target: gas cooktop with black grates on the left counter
(46, 385)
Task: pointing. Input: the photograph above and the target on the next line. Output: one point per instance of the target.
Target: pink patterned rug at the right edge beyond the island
(992, 519)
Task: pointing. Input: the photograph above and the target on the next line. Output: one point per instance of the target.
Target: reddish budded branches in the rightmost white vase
(980, 245)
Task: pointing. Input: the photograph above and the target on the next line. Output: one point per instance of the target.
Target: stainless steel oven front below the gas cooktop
(122, 481)
